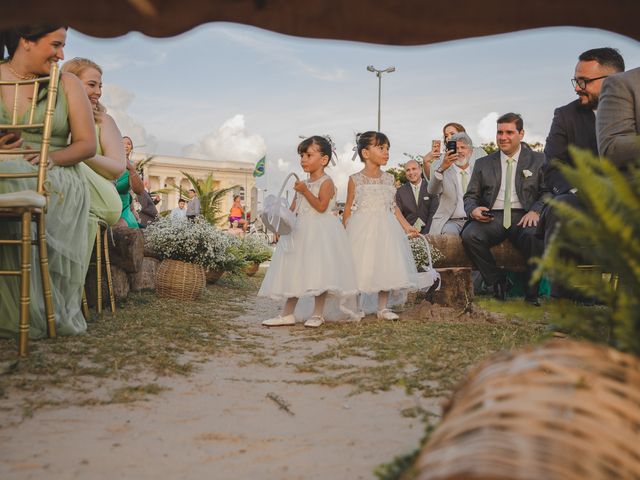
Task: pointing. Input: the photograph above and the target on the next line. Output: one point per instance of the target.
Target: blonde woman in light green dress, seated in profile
(109, 162)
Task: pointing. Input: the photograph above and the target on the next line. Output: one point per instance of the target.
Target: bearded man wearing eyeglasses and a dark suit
(574, 124)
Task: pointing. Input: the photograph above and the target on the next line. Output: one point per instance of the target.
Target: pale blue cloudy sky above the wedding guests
(232, 92)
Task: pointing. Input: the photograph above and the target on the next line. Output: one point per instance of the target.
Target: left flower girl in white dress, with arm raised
(319, 261)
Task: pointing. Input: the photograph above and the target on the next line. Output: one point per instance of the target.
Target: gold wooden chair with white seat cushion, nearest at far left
(29, 206)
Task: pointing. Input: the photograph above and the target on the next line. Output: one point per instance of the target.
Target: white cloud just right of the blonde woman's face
(117, 100)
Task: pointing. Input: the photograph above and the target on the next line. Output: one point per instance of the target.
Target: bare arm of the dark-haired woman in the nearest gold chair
(83, 137)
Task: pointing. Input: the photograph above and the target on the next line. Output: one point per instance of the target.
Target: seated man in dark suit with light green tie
(504, 200)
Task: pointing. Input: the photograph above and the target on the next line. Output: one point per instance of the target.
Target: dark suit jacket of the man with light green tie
(484, 185)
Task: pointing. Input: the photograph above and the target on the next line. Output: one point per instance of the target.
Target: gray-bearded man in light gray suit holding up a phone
(450, 181)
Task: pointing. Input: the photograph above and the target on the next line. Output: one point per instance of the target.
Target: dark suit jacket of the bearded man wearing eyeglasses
(571, 125)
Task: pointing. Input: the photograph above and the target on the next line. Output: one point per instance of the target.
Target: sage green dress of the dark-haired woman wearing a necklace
(66, 229)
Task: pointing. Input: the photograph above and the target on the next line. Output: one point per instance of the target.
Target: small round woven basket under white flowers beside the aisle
(181, 280)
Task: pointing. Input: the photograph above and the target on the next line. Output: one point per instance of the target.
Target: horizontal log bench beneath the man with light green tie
(506, 255)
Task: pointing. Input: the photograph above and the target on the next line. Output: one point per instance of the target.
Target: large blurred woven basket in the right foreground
(566, 410)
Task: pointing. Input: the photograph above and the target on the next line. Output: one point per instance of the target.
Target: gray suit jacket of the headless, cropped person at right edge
(618, 118)
